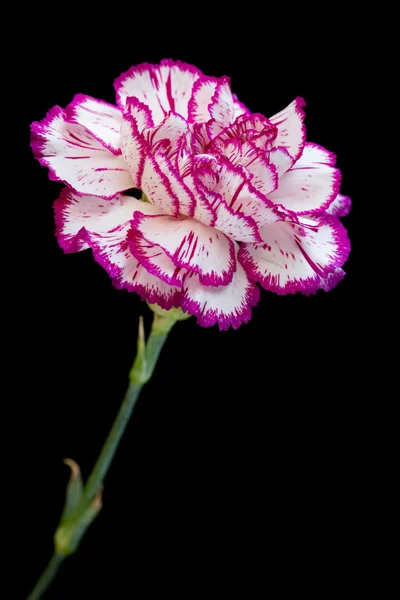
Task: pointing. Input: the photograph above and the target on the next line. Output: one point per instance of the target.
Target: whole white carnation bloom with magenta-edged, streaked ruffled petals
(230, 198)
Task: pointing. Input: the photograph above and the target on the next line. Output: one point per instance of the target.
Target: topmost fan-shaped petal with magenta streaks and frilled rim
(163, 88)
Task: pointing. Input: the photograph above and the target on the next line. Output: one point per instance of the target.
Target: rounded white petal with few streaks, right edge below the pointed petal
(311, 184)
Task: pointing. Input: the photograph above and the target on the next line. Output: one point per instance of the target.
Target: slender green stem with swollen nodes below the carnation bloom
(72, 528)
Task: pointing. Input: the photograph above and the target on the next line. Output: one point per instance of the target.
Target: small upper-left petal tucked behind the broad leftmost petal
(102, 119)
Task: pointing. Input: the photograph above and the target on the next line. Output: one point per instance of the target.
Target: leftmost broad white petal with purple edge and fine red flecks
(77, 158)
